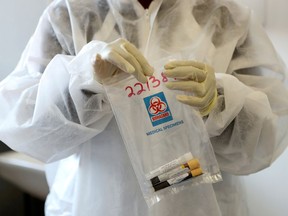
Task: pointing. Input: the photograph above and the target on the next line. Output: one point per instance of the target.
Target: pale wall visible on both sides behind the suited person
(267, 190)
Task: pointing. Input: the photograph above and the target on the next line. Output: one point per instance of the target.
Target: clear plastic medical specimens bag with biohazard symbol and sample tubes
(166, 140)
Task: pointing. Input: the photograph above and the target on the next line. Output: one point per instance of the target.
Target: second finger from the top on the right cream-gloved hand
(186, 73)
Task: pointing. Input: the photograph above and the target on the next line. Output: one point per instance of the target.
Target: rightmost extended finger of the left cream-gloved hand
(147, 69)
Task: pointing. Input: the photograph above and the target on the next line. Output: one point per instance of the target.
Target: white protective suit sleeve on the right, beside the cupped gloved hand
(249, 125)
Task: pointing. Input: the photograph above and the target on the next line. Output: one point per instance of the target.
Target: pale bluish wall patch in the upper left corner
(18, 20)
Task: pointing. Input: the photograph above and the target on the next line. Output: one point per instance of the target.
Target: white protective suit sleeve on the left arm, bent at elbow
(50, 104)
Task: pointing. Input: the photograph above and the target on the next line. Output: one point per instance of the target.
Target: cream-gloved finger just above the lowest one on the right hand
(199, 89)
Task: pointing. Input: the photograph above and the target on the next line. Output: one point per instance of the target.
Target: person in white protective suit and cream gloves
(54, 108)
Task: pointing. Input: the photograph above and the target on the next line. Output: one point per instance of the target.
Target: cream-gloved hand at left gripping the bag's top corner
(121, 56)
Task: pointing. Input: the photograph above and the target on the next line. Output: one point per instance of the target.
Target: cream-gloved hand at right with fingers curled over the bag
(195, 77)
